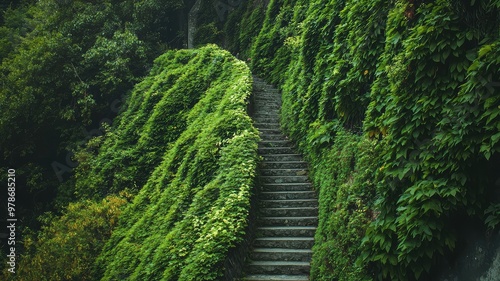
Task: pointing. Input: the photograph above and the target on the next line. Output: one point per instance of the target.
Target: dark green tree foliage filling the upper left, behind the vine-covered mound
(64, 64)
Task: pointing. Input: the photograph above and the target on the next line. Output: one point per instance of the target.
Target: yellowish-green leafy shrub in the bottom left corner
(66, 247)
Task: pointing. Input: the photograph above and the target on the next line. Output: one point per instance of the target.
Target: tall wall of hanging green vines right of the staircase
(396, 105)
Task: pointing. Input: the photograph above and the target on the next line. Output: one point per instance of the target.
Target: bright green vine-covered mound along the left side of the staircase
(193, 206)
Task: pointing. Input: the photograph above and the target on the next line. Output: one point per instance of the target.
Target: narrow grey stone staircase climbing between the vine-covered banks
(288, 207)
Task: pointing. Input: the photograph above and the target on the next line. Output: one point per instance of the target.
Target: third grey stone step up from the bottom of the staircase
(280, 254)
